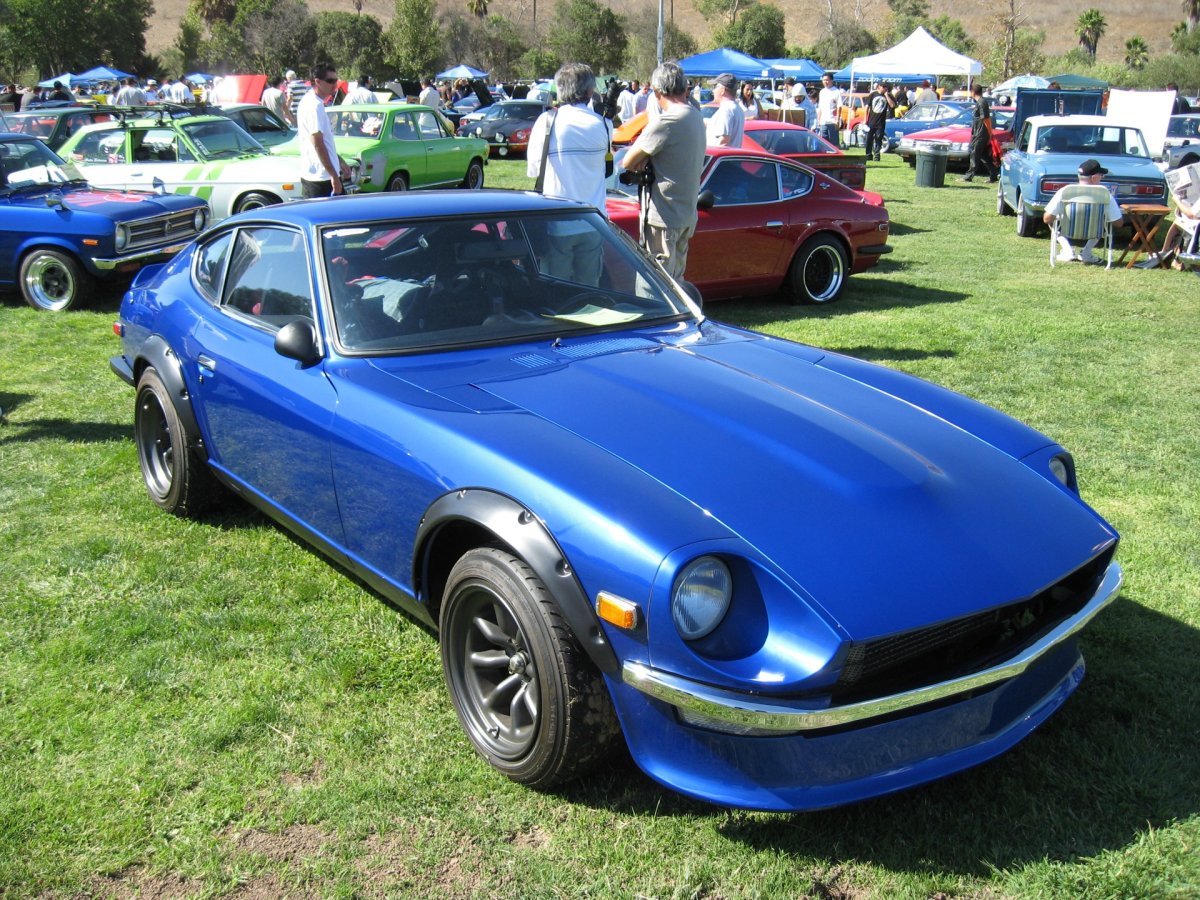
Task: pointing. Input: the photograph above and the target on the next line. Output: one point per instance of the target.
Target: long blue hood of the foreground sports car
(886, 515)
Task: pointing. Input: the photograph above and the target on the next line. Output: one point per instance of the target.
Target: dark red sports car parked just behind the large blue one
(767, 224)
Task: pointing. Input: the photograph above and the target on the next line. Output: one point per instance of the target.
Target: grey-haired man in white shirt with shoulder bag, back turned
(575, 146)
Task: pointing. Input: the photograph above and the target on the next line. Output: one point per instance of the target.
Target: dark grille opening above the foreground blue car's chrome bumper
(951, 650)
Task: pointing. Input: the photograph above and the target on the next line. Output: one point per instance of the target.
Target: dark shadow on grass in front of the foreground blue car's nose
(1114, 765)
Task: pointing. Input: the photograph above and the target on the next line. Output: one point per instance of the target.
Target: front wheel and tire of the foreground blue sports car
(525, 692)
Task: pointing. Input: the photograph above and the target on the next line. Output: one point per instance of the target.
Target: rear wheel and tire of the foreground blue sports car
(176, 477)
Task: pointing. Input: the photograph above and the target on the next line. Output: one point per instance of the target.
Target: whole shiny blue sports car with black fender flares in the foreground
(784, 578)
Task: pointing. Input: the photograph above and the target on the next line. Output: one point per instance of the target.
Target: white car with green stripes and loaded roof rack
(207, 157)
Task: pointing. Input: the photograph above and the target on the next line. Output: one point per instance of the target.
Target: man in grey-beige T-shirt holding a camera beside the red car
(670, 153)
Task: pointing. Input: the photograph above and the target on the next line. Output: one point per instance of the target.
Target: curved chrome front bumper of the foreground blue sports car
(752, 712)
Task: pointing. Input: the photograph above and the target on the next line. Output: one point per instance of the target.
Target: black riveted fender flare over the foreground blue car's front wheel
(523, 531)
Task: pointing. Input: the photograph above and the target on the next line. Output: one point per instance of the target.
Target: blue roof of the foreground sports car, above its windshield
(352, 209)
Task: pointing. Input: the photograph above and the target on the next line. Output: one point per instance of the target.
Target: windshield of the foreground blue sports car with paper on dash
(411, 286)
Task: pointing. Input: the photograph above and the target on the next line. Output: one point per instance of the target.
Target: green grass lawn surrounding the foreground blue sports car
(208, 709)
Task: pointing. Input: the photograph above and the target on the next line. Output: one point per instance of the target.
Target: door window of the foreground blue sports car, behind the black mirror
(268, 277)
